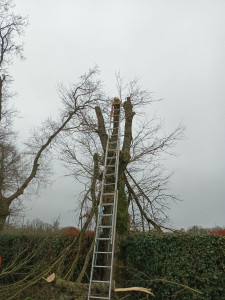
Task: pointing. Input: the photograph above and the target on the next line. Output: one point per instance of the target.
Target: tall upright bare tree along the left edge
(11, 171)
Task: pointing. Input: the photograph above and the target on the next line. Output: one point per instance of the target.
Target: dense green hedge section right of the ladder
(169, 263)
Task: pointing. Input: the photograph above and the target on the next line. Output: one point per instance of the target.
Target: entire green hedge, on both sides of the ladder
(173, 266)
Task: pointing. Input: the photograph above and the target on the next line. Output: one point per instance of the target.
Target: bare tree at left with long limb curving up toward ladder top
(18, 171)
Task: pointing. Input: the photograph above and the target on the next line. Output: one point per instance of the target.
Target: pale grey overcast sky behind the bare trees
(177, 48)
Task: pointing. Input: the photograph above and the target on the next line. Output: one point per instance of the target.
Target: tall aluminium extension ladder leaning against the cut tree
(103, 255)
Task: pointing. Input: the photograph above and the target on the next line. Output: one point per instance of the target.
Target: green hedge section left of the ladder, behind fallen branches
(26, 251)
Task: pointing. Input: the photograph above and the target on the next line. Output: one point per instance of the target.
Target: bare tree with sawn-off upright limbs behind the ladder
(143, 181)
